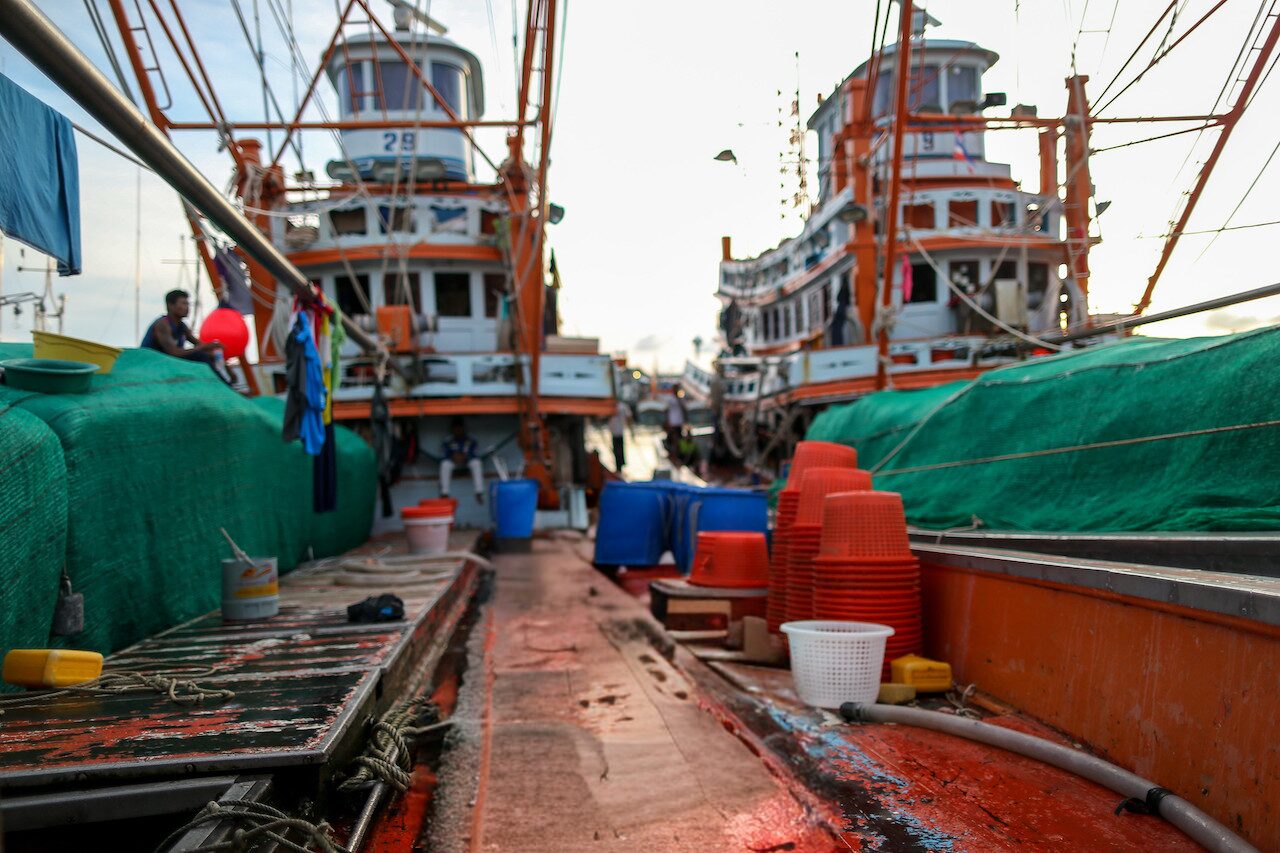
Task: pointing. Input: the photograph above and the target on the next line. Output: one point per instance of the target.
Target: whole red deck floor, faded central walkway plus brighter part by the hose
(591, 731)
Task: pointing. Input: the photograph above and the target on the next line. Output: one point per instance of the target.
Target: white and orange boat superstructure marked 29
(415, 249)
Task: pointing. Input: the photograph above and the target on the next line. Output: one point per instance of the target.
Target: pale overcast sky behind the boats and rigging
(650, 94)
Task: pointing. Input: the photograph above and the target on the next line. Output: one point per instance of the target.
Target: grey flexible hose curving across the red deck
(1196, 824)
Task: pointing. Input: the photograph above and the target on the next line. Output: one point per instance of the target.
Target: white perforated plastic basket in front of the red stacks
(836, 663)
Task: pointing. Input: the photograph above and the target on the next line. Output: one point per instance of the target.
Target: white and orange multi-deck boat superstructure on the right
(984, 267)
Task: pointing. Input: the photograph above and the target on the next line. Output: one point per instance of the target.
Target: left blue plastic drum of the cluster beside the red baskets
(634, 524)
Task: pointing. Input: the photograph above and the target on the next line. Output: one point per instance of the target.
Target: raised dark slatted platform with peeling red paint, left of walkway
(298, 679)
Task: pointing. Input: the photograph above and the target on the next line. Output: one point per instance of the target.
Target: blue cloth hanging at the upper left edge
(39, 177)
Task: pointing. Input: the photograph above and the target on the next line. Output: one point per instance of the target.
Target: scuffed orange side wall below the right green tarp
(1181, 697)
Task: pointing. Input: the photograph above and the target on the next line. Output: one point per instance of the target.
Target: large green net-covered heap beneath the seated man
(149, 466)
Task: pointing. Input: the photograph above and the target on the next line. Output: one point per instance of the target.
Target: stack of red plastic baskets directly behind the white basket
(866, 572)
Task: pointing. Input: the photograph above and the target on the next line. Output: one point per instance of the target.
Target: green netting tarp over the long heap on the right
(1144, 435)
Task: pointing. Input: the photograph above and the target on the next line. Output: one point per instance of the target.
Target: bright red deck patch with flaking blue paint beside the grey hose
(908, 790)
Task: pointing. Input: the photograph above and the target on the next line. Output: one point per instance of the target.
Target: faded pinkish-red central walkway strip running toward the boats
(586, 737)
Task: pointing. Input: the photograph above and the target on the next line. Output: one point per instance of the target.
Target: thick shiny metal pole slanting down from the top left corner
(40, 42)
